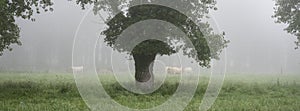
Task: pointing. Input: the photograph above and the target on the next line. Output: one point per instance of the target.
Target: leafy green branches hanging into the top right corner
(288, 12)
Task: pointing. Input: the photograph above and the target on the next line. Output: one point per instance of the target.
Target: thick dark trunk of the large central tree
(144, 70)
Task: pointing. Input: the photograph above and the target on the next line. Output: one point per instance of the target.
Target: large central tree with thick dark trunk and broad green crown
(208, 45)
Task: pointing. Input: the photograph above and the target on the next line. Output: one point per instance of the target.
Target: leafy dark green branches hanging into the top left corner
(12, 9)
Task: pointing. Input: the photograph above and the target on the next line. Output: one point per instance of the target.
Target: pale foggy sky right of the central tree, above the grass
(257, 43)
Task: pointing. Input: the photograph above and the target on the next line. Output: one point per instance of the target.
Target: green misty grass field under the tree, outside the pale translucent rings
(58, 92)
